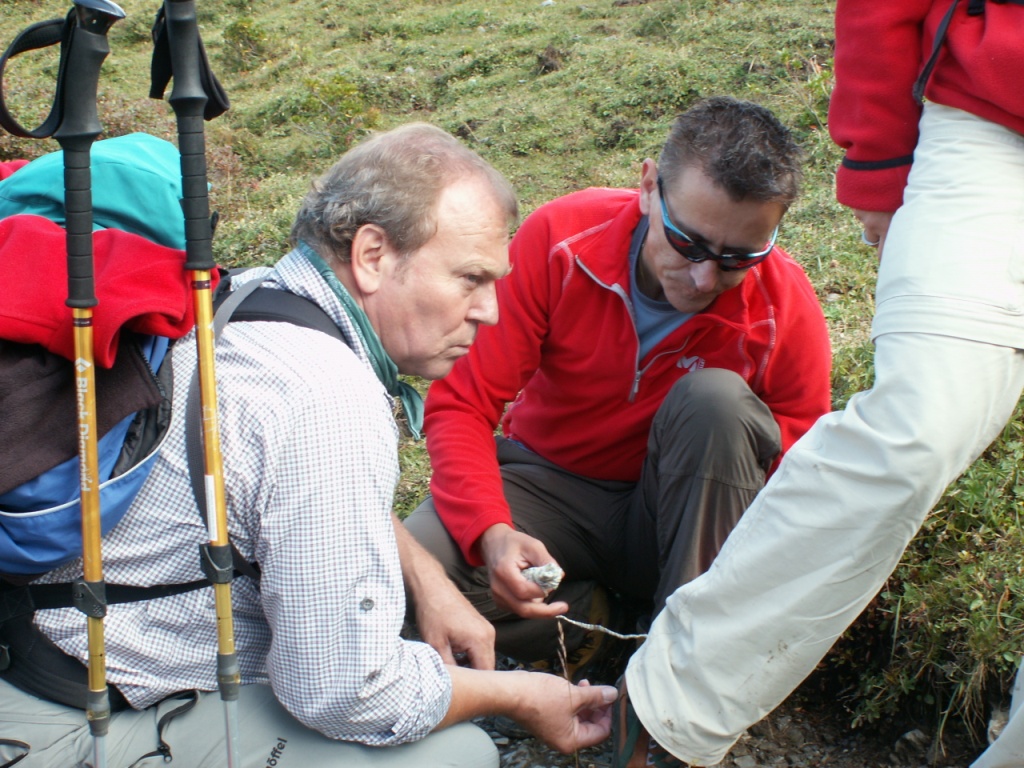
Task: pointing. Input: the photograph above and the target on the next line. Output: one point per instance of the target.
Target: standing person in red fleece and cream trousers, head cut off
(940, 189)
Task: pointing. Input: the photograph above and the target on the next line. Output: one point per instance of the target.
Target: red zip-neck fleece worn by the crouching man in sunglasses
(566, 355)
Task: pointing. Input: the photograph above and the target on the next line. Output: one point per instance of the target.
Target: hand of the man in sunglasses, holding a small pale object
(506, 552)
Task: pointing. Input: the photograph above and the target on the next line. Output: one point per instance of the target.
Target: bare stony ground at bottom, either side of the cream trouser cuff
(800, 735)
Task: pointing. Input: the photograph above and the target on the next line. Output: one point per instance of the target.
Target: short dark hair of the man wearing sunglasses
(741, 146)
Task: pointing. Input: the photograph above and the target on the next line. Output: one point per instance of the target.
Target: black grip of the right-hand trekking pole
(189, 102)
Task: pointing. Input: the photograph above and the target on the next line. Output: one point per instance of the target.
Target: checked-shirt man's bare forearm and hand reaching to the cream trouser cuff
(566, 717)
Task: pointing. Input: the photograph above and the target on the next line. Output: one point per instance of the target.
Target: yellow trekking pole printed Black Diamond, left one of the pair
(78, 129)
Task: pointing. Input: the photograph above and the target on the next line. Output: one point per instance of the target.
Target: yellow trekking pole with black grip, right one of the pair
(189, 100)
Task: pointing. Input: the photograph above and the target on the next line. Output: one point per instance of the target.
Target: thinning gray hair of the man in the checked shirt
(395, 181)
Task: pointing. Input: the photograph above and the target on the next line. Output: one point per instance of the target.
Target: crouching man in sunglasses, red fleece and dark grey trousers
(656, 355)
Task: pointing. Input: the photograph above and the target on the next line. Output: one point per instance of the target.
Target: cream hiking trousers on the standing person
(832, 524)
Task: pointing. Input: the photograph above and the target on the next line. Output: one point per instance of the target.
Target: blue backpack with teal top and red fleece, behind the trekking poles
(138, 214)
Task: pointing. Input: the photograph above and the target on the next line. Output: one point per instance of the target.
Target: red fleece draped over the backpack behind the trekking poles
(140, 285)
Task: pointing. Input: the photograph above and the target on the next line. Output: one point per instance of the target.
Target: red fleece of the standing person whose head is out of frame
(881, 49)
